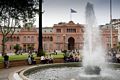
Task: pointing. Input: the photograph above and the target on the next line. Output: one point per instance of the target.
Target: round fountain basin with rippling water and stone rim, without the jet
(67, 71)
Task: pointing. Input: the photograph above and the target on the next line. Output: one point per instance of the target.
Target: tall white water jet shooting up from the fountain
(93, 53)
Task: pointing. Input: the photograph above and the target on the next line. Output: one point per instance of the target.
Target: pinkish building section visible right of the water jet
(106, 36)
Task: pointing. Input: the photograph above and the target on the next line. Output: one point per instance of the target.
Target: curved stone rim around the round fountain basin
(45, 66)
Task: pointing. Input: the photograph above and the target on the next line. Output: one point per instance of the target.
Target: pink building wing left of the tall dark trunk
(25, 37)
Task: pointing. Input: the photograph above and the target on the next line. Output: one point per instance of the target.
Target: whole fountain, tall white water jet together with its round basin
(94, 64)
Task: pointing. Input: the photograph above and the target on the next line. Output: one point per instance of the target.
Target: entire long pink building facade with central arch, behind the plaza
(62, 36)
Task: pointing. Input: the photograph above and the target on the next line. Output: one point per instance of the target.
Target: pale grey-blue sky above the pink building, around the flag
(59, 11)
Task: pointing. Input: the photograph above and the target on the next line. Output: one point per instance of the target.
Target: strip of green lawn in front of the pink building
(25, 56)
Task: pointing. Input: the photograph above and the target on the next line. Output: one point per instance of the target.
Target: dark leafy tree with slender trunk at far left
(12, 12)
